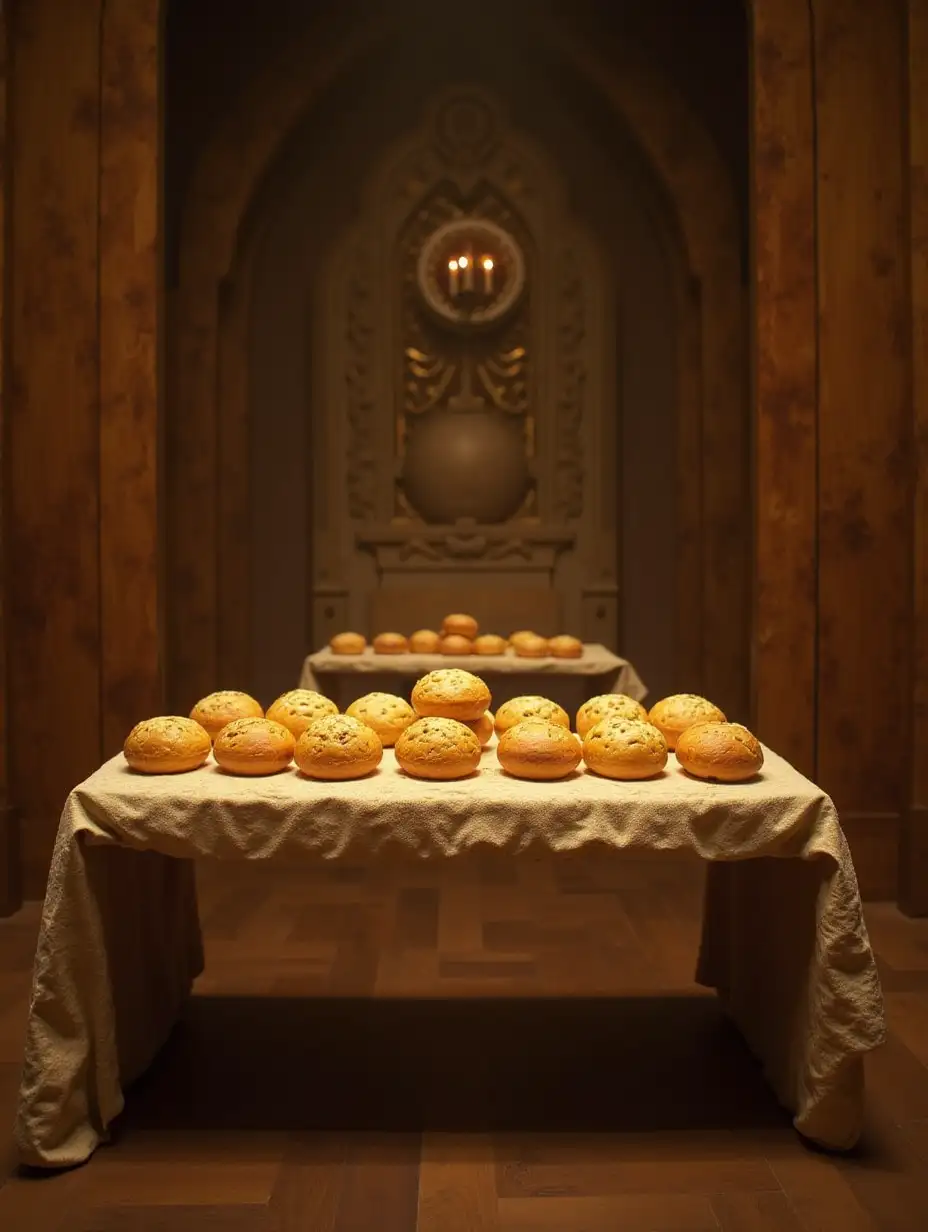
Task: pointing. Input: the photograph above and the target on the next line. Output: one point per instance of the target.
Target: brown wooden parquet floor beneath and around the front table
(478, 1048)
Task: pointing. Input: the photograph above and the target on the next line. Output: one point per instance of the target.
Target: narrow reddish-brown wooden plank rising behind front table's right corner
(784, 379)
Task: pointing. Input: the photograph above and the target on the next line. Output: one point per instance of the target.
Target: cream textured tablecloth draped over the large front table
(784, 939)
